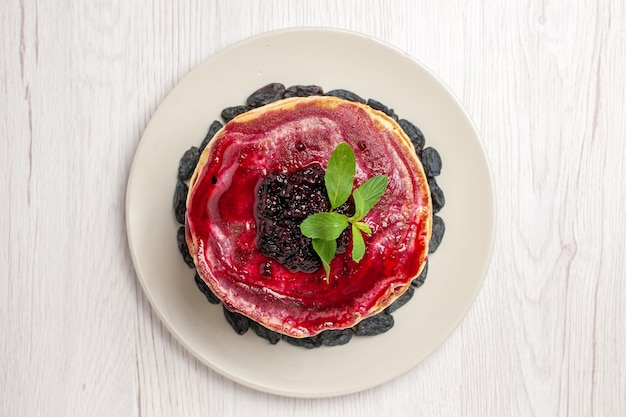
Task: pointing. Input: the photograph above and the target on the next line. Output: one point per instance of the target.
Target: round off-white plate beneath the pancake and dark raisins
(331, 59)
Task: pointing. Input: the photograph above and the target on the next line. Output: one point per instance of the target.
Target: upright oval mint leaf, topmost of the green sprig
(339, 177)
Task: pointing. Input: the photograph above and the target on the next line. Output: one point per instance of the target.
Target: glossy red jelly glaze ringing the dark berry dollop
(221, 226)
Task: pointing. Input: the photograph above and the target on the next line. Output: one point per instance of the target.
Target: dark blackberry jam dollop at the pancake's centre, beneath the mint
(284, 200)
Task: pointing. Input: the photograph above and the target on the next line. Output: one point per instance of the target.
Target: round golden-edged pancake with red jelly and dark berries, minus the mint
(262, 173)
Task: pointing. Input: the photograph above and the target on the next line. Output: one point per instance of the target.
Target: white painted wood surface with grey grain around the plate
(543, 81)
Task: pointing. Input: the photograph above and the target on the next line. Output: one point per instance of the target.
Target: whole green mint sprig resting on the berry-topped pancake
(324, 228)
